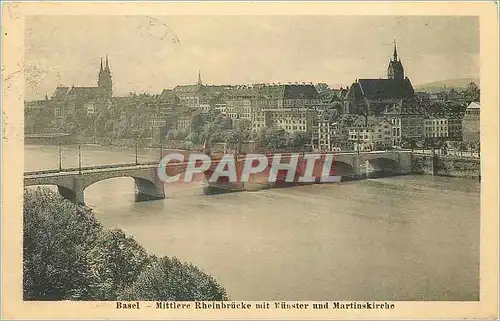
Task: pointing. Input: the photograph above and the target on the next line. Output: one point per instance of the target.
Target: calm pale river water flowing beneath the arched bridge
(398, 238)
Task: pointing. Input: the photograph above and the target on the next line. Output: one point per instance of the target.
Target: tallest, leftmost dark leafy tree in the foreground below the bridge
(56, 236)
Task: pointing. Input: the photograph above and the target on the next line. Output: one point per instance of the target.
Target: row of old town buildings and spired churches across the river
(370, 114)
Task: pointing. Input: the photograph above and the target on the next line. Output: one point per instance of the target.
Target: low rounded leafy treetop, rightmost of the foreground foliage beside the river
(169, 279)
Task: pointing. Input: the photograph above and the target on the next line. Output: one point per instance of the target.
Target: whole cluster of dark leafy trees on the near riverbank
(68, 255)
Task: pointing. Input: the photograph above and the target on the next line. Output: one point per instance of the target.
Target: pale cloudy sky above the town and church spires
(150, 53)
